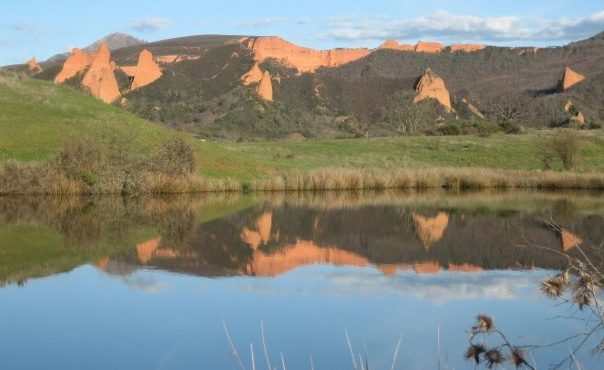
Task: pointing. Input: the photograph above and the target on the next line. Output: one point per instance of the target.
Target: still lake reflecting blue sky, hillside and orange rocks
(116, 283)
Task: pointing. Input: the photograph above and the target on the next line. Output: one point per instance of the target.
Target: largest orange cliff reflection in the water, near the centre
(300, 254)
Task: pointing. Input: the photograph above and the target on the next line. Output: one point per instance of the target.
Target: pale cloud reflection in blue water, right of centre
(437, 288)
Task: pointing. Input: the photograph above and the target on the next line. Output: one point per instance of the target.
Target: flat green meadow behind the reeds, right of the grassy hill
(498, 151)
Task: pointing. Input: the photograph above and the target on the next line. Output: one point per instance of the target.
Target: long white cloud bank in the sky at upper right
(447, 26)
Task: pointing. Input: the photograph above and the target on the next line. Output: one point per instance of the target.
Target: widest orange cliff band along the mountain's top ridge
(303, 59)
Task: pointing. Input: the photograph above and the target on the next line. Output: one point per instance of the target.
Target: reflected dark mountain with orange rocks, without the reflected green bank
(269, 242)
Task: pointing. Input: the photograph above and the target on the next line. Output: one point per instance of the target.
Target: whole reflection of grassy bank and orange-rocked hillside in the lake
(222, 235)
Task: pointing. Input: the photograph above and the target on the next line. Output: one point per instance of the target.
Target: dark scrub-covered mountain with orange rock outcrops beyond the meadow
(264, 86)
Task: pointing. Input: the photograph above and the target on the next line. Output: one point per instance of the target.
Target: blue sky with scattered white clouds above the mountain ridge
(44, 28)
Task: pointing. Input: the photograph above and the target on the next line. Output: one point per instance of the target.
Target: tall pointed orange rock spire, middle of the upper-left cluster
(100, 80)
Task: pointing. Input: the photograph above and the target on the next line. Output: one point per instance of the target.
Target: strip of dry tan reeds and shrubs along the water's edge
(323, 179)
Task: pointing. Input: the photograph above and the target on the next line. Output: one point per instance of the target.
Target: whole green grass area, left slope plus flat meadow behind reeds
(37, 119)
